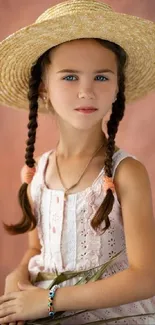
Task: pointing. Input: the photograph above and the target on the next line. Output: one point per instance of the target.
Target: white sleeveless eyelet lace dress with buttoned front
(70, 244)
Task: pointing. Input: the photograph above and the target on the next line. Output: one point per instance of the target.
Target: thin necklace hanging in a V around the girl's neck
(62, 182)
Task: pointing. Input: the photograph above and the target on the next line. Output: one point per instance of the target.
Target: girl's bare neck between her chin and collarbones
(80, 143)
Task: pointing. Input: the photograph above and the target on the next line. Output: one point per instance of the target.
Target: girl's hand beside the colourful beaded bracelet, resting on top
(27, 304)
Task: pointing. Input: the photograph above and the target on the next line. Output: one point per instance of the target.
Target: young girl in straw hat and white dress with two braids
(87, 200)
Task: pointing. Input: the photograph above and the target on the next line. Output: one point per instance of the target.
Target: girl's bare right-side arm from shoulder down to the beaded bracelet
(138, 281)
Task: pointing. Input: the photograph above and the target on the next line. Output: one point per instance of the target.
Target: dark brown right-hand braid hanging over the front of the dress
(117, 114)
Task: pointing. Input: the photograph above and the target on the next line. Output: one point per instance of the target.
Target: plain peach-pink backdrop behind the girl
(136, 132)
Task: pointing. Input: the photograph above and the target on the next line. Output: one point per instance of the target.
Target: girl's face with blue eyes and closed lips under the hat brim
(81, 85)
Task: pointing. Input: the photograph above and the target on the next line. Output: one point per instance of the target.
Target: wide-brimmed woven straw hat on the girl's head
(70, 20)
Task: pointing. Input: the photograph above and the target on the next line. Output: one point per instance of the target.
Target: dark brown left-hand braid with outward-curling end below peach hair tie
(28, 221)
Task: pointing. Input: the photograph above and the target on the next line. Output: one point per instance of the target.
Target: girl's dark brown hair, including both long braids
(28, 221)
